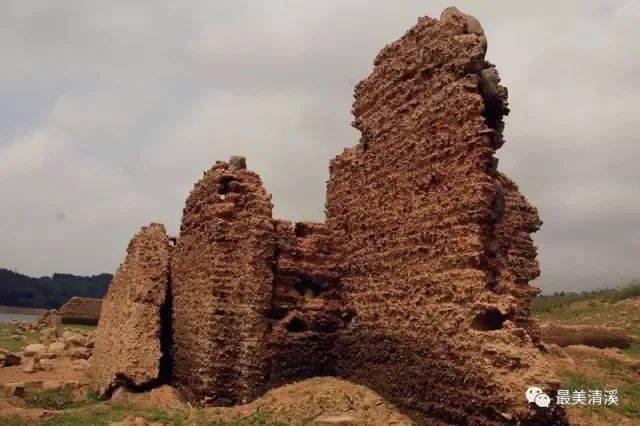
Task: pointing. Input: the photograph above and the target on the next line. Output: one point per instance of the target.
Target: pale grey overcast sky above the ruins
(110, 111)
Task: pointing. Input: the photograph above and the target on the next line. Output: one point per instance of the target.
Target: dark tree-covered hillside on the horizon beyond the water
(48, 292)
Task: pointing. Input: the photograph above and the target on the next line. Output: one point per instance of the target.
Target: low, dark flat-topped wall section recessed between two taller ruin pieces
(306, 315)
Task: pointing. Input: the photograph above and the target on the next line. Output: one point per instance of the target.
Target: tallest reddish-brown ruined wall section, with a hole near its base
(415, 208)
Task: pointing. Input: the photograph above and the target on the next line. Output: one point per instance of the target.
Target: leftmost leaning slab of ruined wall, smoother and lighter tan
(128, 338)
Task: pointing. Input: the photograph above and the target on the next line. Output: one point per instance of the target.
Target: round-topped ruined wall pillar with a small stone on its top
(222, 278)
